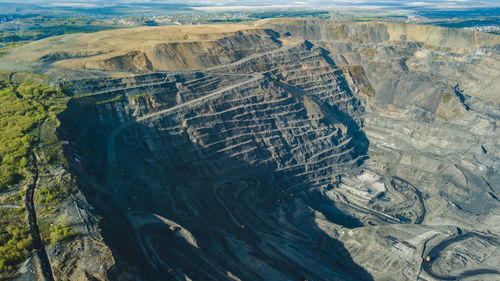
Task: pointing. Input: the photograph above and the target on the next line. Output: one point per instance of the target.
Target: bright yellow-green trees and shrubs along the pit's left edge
(28, 121)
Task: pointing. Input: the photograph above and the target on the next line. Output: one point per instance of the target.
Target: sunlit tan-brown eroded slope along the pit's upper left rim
(182, 55)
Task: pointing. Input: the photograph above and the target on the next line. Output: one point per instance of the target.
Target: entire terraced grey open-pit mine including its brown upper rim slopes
(326, 151)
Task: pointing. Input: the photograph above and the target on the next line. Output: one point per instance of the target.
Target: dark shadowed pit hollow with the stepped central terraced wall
(241, 156)
